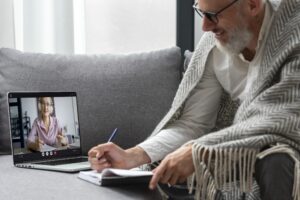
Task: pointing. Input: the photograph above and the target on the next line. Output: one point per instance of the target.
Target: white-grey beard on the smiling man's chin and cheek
(238, 40)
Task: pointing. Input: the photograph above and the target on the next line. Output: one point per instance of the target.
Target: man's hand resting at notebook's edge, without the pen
(176, 167)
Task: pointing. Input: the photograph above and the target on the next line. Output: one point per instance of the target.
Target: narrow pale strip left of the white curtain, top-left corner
(6, 24)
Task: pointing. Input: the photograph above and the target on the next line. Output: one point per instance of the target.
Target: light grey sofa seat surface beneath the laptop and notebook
(20, 183)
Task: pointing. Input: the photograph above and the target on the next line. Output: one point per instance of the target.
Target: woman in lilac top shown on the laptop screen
(46, 133)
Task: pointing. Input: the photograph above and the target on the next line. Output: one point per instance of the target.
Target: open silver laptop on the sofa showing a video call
(45, 132)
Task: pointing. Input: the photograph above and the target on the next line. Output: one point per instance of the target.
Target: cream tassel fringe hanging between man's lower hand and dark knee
(231, 165)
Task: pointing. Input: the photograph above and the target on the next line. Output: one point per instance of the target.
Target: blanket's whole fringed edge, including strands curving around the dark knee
(234, 166)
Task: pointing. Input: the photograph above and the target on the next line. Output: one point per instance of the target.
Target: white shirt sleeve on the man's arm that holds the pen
(198, 117)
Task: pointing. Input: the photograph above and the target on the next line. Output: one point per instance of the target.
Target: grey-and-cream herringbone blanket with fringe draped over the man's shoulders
(269, 116)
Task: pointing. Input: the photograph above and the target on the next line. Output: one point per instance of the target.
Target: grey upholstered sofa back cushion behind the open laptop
(131, 92)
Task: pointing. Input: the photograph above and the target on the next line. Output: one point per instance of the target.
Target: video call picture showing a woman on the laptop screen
(44, 124)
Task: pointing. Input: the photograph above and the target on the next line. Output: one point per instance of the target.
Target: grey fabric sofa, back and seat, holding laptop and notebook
(131, 92)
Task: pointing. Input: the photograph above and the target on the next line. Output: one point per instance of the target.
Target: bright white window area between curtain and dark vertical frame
(118, 26)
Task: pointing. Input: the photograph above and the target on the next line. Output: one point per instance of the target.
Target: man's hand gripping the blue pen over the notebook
(110, 155)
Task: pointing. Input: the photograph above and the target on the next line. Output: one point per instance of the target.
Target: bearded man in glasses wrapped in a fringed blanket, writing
(252, 52)
